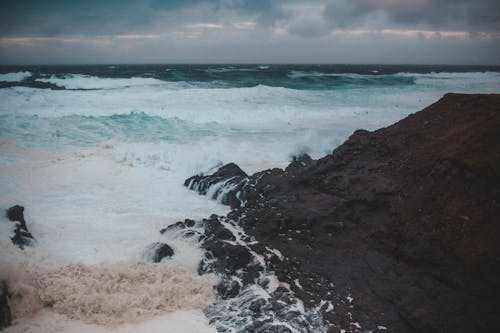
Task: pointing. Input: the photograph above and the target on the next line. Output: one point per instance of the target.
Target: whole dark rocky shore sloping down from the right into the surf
(396, 230)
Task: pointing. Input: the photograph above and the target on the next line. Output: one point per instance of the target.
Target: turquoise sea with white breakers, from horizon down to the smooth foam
(283, 109)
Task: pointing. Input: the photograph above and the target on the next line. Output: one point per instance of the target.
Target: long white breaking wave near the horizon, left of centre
(78, 81)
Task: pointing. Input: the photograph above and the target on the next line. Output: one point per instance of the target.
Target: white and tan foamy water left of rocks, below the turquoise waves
(93, 214)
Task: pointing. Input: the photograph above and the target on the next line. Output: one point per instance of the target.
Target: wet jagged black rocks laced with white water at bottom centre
(250, 299)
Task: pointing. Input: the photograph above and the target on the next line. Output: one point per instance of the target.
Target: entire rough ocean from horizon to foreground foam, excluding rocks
(98, 155)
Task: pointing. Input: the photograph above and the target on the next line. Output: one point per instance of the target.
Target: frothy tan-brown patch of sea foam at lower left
(109, 294)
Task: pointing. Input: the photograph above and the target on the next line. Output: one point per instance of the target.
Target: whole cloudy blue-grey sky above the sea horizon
(250, 31)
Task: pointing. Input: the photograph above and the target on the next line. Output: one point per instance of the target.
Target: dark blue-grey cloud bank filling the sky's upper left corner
(98, 17)
